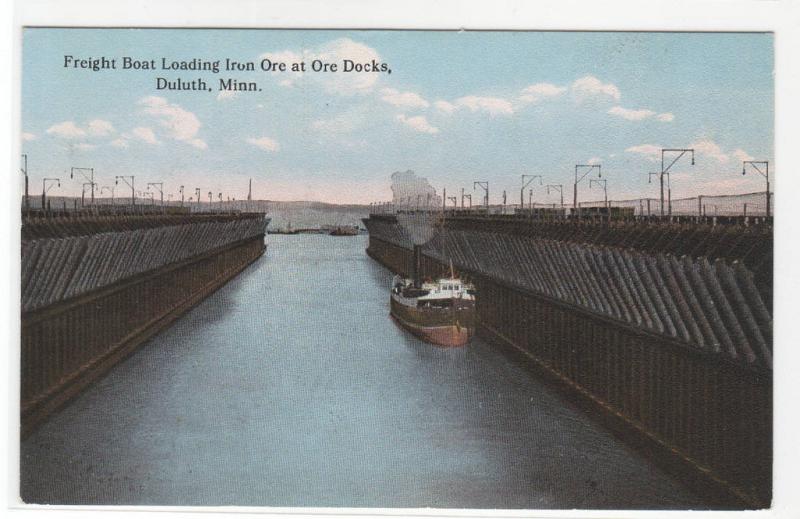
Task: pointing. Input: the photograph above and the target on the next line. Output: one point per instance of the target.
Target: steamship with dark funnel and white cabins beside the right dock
(440, 311)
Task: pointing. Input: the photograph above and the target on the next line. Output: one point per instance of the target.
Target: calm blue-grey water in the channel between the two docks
(291, 386)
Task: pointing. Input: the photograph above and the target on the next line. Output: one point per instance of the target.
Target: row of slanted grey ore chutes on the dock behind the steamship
(714, 305)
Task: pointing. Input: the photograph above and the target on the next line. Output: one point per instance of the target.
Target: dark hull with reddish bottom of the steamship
(449, 328)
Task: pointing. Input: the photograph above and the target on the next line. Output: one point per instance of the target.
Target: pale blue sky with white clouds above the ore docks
(456, 107)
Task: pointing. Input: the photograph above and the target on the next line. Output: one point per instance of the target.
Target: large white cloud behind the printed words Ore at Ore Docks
(336, 51)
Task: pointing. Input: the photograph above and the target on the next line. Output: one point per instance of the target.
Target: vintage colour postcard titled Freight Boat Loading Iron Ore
(407, 269)
